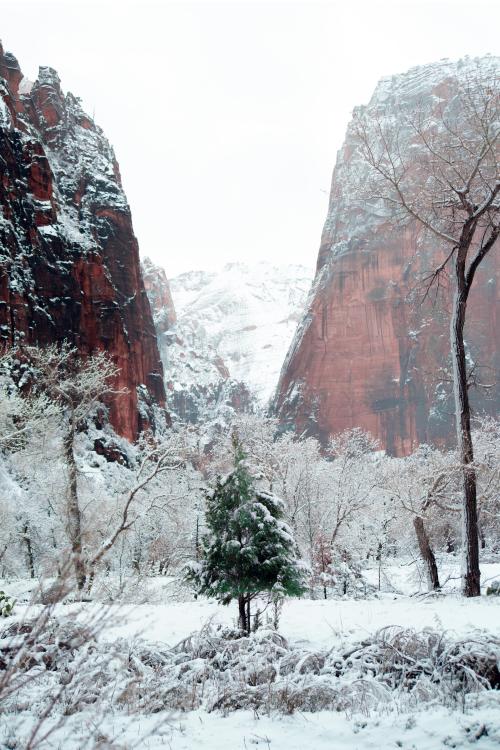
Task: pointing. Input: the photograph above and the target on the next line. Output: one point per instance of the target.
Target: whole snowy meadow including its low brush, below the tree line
(407, 670)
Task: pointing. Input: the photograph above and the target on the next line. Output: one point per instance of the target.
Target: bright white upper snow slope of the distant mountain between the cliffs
(246, 314)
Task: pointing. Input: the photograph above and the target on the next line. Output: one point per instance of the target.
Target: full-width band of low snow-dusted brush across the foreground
(55, 669)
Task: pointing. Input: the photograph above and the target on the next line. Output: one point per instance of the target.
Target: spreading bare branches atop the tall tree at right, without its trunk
(438, 162)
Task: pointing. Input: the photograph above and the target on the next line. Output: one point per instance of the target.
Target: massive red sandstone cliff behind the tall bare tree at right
(366, 353)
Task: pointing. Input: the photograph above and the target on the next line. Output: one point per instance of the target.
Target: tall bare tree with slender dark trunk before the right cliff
(439, 167)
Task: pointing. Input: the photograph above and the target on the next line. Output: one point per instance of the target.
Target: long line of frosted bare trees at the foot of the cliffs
(74, 491)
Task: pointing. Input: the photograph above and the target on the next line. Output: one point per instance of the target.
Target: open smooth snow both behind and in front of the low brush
(308, 625)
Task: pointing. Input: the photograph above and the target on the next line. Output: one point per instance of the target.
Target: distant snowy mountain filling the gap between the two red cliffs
(224, 352)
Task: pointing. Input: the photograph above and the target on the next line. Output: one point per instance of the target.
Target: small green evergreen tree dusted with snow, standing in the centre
(249, 549)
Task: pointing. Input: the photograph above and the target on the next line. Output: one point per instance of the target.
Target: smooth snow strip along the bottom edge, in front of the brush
(324, 730)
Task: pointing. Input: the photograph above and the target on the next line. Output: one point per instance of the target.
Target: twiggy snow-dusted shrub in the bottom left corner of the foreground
(53, 668)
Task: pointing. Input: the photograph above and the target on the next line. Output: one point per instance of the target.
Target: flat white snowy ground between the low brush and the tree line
(167, 618)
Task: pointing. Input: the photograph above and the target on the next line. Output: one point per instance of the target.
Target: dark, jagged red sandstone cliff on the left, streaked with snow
(69, 260)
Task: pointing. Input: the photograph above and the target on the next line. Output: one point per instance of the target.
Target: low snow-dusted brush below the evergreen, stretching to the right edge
(227, 670)
